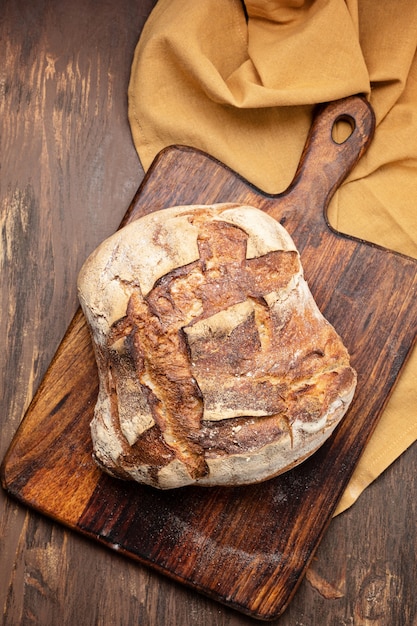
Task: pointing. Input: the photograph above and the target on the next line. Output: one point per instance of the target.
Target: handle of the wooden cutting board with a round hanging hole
(325, 162)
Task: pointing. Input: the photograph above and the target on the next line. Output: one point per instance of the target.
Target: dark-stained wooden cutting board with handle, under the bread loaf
(246, 547)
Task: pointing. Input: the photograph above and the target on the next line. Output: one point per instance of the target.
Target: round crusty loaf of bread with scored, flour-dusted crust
(215, 364)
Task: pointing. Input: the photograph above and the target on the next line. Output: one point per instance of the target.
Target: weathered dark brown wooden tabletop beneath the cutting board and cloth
(68, 173)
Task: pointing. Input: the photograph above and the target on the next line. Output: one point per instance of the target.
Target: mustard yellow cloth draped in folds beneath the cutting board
(239, 80)
